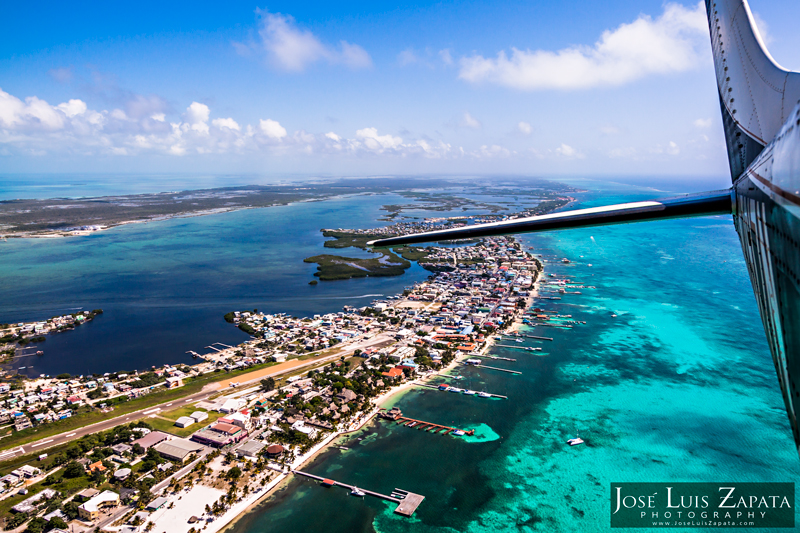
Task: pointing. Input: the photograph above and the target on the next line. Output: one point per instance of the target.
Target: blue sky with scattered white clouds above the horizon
(585, 88)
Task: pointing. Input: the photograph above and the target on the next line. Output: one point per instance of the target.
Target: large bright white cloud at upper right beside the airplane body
(674, 42)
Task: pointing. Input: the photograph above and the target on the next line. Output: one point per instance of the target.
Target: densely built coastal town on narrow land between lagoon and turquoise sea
(273, 402)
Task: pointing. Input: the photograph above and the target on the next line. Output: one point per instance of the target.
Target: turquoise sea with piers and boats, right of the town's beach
(678, 386)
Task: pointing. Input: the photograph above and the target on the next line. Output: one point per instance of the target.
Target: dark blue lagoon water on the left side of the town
(165, 286)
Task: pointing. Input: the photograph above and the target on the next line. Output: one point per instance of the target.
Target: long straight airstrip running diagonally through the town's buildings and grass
(208, 391)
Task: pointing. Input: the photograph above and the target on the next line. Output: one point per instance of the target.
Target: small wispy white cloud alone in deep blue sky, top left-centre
(293, 49)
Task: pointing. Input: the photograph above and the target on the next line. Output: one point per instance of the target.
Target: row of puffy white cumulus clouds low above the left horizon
(34, 127)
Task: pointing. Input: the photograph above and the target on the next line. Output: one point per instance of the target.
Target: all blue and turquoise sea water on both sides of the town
(678, 386)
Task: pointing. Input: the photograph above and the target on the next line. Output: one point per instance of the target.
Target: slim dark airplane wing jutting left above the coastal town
(697, 204)
